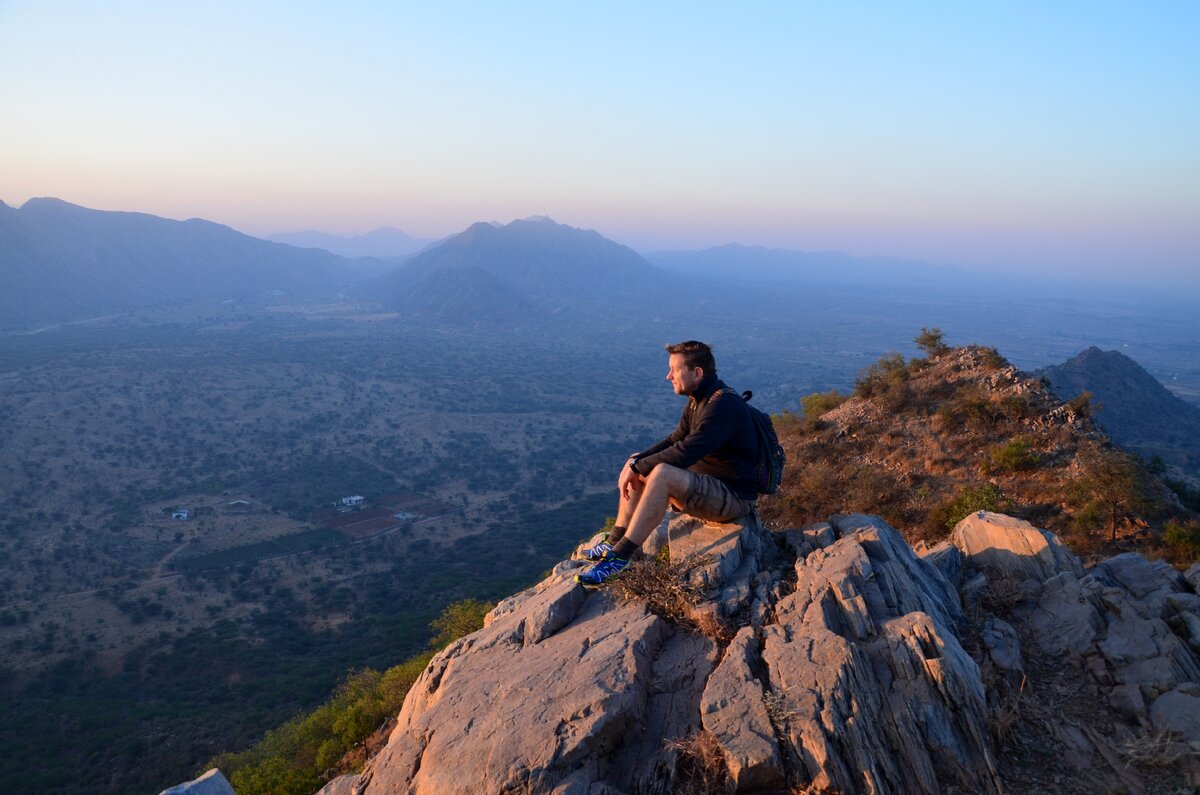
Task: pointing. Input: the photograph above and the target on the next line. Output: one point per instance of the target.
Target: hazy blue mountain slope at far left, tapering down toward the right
(61, 261)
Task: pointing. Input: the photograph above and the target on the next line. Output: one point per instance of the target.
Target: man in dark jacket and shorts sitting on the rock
(706, 468)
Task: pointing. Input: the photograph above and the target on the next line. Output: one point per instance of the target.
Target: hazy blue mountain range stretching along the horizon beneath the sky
(63, 262)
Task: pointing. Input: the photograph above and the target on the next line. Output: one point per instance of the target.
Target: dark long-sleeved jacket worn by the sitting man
(716, 437)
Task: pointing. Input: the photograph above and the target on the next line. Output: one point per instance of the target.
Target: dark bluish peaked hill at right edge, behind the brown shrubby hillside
(1139, 413)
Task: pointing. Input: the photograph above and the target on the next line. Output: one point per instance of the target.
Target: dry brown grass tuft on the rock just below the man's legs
(667, 590)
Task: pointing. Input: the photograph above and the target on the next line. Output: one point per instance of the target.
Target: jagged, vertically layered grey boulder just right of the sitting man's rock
(878, 694)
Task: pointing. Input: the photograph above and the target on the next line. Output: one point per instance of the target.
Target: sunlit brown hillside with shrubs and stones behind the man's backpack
(925, 443)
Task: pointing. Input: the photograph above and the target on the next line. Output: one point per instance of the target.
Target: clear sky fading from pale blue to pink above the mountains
(1018, 138)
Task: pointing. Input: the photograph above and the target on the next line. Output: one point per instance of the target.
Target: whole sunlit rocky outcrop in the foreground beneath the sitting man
(855, 666)
